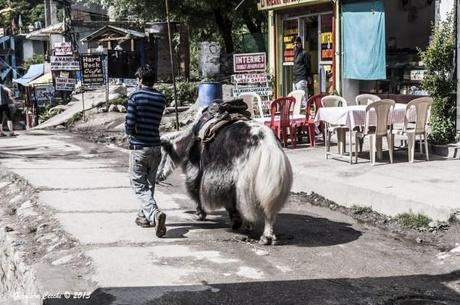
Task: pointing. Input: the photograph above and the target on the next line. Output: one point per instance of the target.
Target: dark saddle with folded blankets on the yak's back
(219, 114)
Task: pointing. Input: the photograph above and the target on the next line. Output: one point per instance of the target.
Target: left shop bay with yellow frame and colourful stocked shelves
(314, 22)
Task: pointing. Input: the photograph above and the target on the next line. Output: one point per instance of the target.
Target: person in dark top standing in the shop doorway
(302, 67)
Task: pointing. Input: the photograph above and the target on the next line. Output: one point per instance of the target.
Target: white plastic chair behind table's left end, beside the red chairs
(335, 101)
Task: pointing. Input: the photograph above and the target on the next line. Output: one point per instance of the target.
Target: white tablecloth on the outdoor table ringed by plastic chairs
(352, 116)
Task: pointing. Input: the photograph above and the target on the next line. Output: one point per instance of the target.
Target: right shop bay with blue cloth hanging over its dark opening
(381, 43)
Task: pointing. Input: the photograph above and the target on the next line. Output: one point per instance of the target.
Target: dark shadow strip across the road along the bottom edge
(420, 289)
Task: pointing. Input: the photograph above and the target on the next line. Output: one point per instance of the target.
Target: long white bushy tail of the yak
(266, 179)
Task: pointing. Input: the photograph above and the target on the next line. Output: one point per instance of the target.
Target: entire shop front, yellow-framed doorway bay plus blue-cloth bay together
(355, 46)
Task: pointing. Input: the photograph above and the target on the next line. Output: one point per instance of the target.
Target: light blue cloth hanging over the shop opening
(364, 40)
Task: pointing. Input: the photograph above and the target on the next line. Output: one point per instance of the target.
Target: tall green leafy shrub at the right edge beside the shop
(439, 81)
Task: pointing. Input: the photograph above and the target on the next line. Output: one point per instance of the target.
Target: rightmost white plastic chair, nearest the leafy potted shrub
(410, 131)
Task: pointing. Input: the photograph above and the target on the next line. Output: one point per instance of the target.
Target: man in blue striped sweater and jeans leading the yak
(145, 110)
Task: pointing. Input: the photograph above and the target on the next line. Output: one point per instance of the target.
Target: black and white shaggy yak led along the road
(242, 169)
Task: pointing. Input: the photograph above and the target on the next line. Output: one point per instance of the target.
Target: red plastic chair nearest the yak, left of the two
(282, 125)
